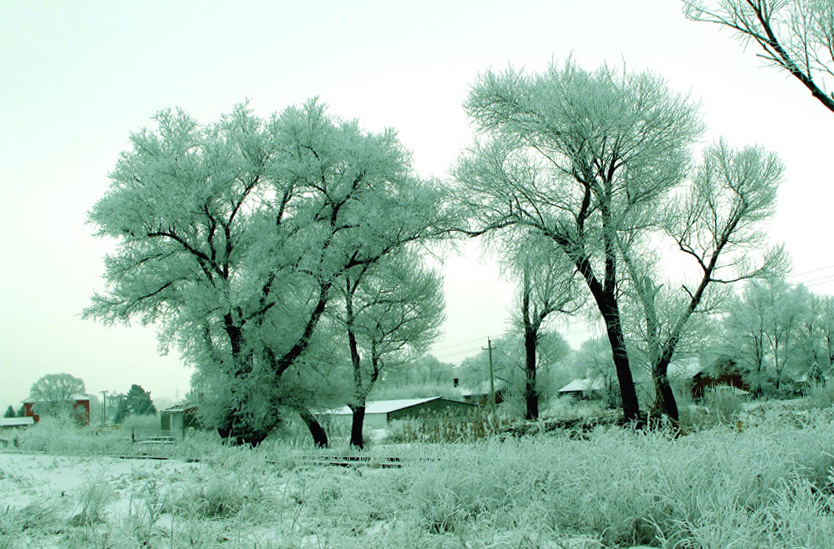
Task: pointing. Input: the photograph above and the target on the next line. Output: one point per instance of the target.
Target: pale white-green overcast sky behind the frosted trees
(77, 77)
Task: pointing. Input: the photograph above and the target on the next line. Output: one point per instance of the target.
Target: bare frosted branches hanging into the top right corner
(796, 36)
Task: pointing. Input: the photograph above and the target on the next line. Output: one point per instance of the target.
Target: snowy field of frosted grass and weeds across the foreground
(763, 480)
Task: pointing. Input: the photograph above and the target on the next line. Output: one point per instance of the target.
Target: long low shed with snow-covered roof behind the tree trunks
(379, 413)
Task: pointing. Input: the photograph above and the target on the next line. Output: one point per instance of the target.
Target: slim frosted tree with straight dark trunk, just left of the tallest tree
(545, 286)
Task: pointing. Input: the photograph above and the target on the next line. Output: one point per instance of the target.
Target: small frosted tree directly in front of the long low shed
(391, 312)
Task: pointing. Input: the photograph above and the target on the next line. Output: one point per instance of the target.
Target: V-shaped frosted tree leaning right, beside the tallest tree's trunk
(715, 221)
